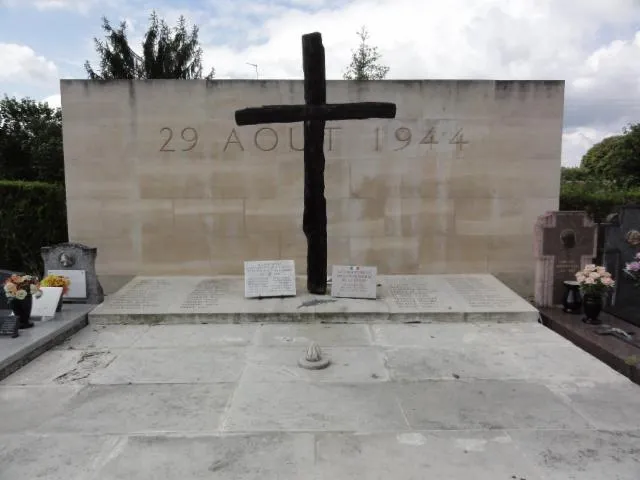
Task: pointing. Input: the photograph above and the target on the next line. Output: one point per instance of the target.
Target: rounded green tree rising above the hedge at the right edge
(615, 159)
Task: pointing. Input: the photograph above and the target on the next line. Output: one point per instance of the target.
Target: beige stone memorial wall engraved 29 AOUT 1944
(161, 180)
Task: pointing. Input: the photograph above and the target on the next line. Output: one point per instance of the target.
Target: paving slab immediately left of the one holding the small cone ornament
(174, 365)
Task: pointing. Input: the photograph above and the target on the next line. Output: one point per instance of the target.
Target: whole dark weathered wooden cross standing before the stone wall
(314, 113)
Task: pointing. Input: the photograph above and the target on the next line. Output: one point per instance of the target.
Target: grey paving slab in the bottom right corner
(582, 454)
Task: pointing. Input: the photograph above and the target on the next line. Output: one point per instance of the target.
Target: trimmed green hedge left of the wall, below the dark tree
(32, 215)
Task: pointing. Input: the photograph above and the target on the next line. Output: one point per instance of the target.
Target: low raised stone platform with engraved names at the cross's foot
(411, 298)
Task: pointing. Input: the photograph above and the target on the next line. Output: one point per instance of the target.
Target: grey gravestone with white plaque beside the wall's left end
(78, 262)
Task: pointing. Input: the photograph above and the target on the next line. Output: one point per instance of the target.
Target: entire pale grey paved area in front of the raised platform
(484, 400)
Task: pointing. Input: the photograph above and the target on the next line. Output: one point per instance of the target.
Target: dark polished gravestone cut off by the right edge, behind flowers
(620, 247)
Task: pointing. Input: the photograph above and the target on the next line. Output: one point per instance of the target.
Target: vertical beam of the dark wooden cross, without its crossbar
(314, 221)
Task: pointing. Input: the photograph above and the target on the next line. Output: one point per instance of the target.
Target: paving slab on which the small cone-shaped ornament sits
(348, 365)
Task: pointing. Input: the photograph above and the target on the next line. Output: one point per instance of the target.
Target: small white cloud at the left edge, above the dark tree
(20, 63)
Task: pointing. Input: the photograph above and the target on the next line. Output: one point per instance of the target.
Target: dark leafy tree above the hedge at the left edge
(30, 141)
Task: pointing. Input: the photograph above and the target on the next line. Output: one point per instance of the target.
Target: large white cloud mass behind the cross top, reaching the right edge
(494, 39)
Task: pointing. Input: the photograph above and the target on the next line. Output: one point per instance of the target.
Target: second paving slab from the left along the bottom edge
(239, 457)
